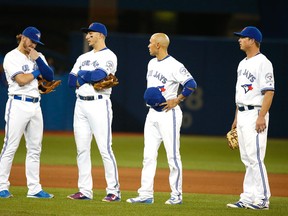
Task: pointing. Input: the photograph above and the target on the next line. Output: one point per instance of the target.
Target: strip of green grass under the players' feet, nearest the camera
(194, 204)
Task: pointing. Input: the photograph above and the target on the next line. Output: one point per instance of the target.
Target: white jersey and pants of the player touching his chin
(22, 117)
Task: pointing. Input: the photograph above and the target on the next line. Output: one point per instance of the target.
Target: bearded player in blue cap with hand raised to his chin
(23, 113)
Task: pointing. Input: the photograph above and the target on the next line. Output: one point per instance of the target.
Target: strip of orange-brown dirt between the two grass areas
(193, 181)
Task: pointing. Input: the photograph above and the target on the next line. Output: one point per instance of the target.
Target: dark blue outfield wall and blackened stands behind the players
(201, 34)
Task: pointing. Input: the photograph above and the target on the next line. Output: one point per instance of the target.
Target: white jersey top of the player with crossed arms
(104, 59)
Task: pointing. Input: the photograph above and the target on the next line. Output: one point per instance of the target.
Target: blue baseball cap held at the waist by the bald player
(153, 97)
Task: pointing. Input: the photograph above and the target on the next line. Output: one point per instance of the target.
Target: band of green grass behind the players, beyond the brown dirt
(198, 153)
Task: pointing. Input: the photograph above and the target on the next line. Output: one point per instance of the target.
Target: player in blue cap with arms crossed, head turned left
(93, 113)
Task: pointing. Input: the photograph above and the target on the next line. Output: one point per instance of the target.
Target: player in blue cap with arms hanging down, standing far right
(254, 94)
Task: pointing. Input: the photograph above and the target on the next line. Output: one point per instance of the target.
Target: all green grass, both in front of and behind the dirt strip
(198, 153)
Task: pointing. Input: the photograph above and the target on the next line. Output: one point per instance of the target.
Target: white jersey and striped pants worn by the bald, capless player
(164, 126)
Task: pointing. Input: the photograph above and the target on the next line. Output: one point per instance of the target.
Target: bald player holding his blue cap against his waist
(164, 118)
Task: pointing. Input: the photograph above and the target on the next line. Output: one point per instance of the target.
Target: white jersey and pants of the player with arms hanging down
(255, 75)
